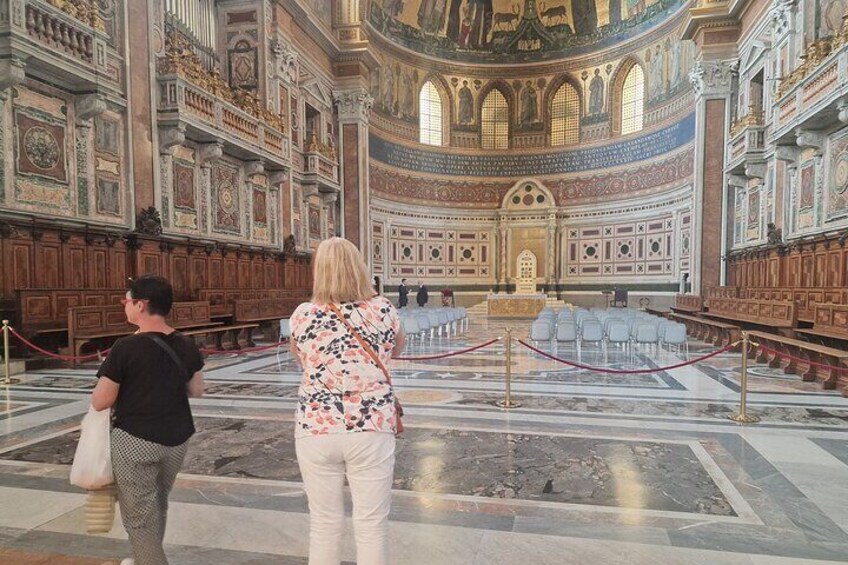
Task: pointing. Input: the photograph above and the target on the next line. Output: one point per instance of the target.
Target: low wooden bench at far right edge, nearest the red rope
(810, 353)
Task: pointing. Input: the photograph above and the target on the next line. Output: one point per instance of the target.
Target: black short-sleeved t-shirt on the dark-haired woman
(152, 400)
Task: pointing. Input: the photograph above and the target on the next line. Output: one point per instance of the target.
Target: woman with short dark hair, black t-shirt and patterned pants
(147, 379)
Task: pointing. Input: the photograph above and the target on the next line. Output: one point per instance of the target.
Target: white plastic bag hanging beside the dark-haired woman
(92, 468)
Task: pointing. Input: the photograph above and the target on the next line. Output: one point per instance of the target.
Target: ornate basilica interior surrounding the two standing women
(677, 164)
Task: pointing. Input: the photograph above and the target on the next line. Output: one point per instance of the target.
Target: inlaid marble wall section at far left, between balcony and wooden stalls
(62, 155)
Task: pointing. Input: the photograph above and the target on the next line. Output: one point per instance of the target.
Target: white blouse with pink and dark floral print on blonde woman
(342, 389)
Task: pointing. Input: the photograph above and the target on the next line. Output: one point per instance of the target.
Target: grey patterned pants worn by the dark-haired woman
(145, 474)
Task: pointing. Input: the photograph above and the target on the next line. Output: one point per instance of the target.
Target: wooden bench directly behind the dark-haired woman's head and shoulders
(89, 323)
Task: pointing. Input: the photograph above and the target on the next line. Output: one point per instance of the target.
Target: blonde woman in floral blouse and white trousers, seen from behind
(346, 415)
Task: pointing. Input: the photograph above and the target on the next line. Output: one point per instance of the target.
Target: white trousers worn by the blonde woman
(368, 461)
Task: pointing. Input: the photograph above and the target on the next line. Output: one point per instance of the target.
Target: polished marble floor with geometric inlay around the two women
(591, 468)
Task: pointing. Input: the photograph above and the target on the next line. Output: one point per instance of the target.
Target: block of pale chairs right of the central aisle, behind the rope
(620, 326)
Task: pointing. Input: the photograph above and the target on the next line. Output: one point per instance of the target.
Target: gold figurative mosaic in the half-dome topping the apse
(512, 30)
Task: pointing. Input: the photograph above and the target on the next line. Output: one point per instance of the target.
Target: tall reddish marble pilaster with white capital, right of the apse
(713, 82)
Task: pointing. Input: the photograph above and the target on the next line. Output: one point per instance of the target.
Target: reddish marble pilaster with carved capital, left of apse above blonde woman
(354, 107)
